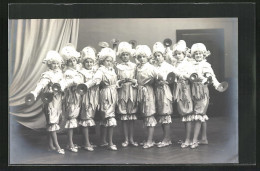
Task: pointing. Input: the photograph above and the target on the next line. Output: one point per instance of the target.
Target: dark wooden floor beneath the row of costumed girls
(30, 147)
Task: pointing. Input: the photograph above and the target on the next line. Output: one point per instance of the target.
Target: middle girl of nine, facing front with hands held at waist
(127, 92)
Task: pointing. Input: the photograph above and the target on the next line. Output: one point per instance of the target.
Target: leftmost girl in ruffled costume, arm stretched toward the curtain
(52, 109)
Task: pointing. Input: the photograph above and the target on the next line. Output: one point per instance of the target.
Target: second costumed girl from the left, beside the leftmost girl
(72, 99)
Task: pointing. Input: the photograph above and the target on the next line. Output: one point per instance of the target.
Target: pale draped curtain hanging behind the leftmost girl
(28, 43)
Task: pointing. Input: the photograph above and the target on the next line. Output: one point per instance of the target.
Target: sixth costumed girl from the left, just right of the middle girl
(145, 75)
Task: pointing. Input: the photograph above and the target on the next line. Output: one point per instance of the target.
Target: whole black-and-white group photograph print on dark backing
(123, 91)
